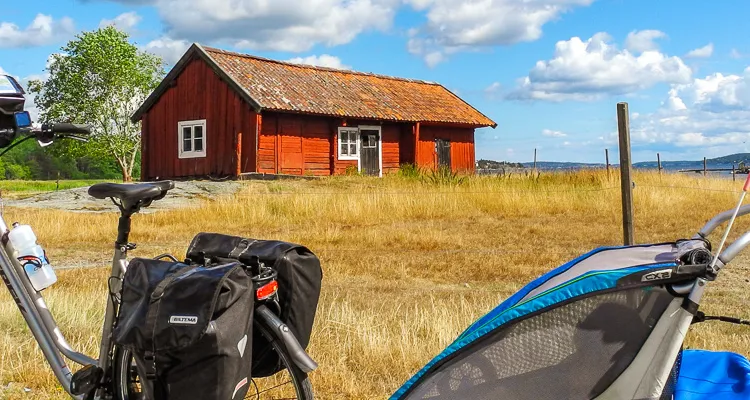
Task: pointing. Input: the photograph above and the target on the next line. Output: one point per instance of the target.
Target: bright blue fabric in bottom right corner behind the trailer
(712, 375)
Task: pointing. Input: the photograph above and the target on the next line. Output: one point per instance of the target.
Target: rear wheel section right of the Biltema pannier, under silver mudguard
(289, 383)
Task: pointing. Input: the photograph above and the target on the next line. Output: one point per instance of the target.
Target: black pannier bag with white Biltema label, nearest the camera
(189, 328)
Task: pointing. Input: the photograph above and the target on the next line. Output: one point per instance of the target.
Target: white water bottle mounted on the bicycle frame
(32, 257)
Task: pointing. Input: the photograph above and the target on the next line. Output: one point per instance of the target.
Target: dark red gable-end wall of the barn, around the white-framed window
(198, 93)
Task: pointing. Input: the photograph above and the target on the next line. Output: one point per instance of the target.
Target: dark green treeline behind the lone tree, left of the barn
(30, 161)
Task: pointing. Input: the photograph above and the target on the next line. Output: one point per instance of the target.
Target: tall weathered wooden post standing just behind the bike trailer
(623, 127)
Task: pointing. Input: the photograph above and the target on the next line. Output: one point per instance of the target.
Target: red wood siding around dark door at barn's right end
(462, 147)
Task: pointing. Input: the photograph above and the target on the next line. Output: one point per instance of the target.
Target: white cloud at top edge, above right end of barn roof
(458, 26)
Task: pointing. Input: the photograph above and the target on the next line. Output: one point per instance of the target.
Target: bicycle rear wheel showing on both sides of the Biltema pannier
(290, 383)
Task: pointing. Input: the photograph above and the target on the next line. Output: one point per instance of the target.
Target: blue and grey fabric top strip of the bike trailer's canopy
(517, 306)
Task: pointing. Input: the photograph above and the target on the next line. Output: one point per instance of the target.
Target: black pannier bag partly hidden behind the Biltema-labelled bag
(299, 276)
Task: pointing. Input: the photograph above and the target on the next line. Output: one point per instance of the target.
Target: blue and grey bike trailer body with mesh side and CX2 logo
(607, 325)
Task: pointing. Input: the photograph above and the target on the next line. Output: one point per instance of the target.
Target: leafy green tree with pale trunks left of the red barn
(101, 79)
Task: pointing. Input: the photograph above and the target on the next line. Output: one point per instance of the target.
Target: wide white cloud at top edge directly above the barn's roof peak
(279, 25)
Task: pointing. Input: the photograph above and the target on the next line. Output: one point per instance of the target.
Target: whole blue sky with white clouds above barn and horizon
(549, 72)
